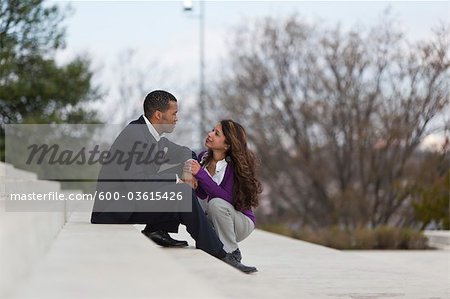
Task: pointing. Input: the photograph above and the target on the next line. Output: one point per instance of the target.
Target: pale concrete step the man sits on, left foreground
(110, 261)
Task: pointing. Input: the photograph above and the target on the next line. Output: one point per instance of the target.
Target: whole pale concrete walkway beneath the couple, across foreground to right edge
(117, 261)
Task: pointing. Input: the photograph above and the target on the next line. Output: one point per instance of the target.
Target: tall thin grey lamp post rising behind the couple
(187, 6)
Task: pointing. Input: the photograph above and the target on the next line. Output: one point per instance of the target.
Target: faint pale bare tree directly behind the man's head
(135, 78)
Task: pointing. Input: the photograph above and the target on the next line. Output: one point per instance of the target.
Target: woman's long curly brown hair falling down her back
(247, 187)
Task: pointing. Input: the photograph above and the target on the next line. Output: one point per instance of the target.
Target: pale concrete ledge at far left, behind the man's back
(25, 237)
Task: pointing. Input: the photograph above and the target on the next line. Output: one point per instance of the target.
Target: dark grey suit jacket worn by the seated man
(146, 170)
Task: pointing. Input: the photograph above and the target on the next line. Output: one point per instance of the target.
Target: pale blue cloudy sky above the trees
(161, 33)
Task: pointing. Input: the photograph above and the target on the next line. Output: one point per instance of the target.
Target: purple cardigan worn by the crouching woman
(208, 189)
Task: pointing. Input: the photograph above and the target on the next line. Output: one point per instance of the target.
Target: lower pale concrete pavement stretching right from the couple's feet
(290, 268)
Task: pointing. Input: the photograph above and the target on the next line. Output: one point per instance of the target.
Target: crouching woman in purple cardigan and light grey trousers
(227, 182)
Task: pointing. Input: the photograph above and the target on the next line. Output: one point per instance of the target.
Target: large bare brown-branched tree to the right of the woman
(336, 116)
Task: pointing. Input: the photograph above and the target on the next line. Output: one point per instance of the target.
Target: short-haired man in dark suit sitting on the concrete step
(128, 177)
